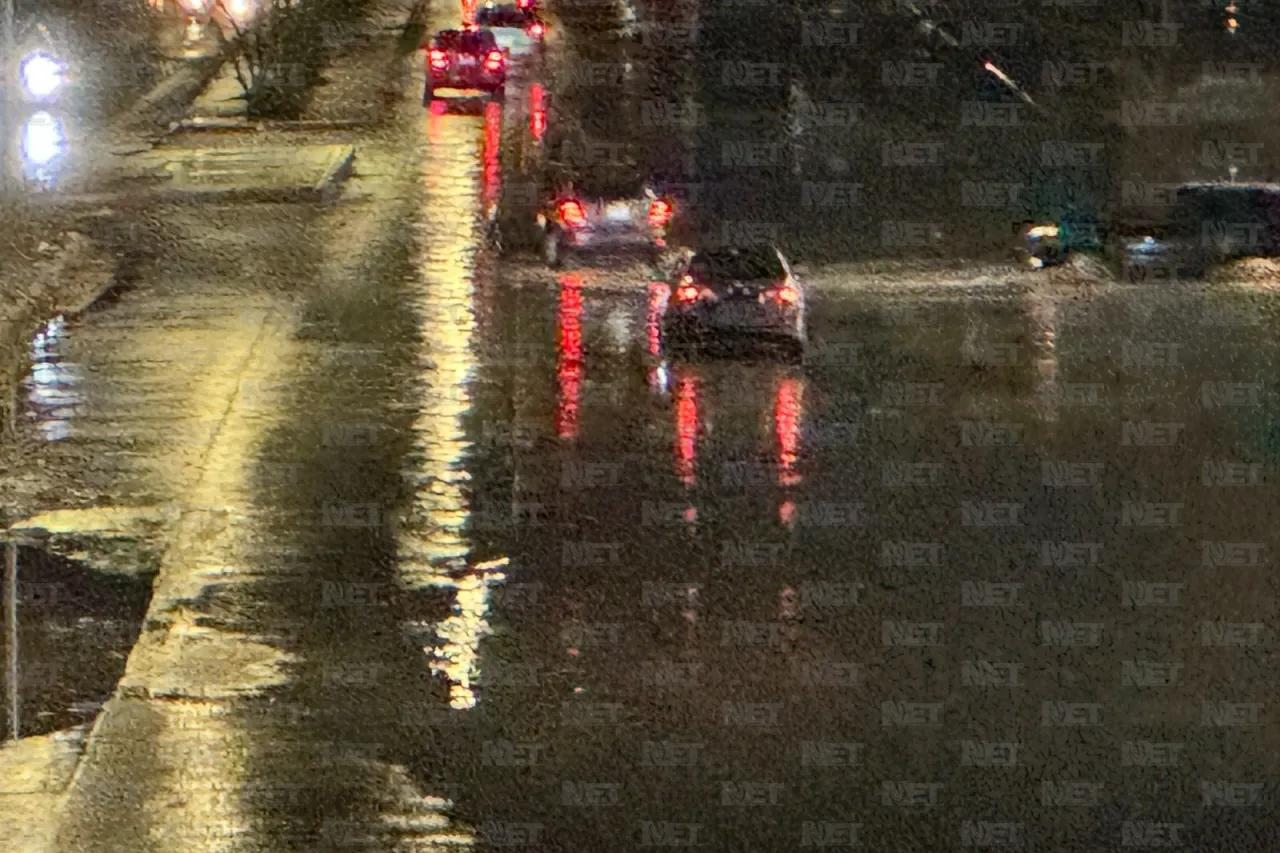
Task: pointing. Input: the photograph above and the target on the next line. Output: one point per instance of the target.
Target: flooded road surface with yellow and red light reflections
(455, 556)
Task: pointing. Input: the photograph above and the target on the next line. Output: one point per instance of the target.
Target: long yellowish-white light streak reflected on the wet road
(435, 549)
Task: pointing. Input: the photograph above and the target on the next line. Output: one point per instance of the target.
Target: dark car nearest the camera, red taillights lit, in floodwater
(748, 294)
